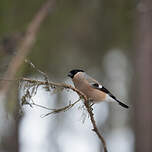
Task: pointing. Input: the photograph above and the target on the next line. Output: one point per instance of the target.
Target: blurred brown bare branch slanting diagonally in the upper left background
(25, 46)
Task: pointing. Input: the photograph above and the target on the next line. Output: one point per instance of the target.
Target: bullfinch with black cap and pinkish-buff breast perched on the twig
(92, 88)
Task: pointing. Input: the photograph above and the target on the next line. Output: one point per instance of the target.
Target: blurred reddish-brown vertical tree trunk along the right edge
(143, 75)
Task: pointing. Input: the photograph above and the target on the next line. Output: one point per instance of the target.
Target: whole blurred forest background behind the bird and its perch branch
(110, 40)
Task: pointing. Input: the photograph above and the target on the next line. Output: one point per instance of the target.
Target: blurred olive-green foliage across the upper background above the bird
(77, 31)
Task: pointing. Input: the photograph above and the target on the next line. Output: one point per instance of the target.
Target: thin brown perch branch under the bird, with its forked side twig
(65, 86)
